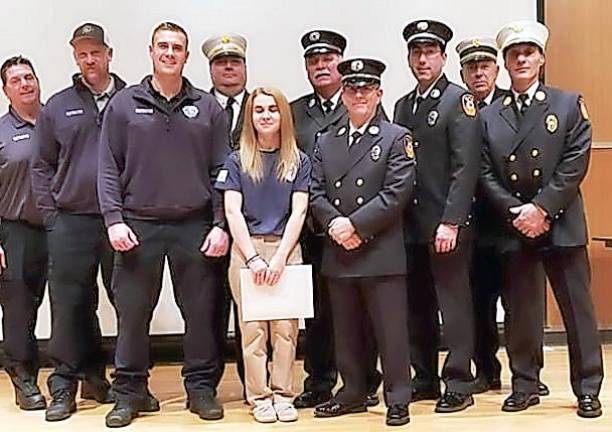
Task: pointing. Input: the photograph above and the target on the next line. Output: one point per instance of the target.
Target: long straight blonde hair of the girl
(250, 157)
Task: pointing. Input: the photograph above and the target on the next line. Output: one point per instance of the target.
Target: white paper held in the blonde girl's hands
(290, 298)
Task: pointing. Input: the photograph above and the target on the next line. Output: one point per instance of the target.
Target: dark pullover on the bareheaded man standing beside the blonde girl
(159, 159)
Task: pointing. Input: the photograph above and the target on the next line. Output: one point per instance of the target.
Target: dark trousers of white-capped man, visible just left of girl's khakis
(226, 305)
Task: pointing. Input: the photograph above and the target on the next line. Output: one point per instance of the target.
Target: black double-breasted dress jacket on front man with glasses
(370, 182)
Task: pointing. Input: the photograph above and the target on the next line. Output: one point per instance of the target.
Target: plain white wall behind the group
(41, 29)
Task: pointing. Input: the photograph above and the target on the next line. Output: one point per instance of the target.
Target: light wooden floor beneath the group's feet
(556, 413)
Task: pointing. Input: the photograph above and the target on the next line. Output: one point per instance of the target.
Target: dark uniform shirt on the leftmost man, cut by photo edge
(16, 198)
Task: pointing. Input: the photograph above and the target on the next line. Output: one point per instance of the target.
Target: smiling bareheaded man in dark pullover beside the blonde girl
(163, 142)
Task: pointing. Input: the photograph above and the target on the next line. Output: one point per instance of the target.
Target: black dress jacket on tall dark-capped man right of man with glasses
(446, 143)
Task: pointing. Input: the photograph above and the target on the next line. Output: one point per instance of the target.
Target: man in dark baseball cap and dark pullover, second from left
(64, 166)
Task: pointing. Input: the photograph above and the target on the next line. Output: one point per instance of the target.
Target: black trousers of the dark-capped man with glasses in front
(383, 300)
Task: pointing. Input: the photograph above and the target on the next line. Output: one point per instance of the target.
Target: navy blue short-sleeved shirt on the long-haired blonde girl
(266, 205)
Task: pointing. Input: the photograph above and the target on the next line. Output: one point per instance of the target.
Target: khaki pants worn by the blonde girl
(255, 335)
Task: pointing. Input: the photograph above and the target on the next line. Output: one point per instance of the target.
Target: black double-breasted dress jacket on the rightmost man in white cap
(515, 171)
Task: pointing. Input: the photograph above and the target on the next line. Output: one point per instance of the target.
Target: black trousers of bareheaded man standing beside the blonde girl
(137, 282)
